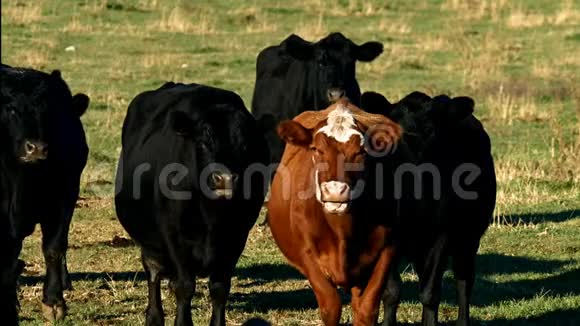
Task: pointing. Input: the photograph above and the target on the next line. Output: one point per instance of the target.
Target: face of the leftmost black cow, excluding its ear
(23, 120)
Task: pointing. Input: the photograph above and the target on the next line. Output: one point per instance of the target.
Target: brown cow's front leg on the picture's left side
(326, 294)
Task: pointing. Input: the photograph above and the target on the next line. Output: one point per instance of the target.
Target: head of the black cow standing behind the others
(333, 64)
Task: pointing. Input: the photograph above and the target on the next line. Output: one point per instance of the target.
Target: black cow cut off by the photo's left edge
(43, 152)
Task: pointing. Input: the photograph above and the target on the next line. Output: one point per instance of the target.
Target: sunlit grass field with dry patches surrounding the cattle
(519, 59)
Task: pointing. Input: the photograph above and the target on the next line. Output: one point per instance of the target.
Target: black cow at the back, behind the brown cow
(298, 75)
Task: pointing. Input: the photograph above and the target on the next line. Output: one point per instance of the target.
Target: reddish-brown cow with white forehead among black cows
(319, 216)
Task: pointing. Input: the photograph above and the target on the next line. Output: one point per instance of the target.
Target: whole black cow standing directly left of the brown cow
(184, 192)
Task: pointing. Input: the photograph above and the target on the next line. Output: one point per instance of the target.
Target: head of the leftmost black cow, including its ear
(28, 100)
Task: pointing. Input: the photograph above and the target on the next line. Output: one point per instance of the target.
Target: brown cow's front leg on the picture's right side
(367, 300)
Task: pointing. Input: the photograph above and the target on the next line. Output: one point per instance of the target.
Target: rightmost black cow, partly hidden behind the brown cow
(452, 211)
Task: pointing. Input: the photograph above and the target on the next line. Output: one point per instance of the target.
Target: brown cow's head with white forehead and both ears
(340, 143)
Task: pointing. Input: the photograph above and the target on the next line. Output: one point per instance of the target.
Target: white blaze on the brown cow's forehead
(341, 125)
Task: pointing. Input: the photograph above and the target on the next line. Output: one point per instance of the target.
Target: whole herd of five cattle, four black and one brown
(360, 185)
